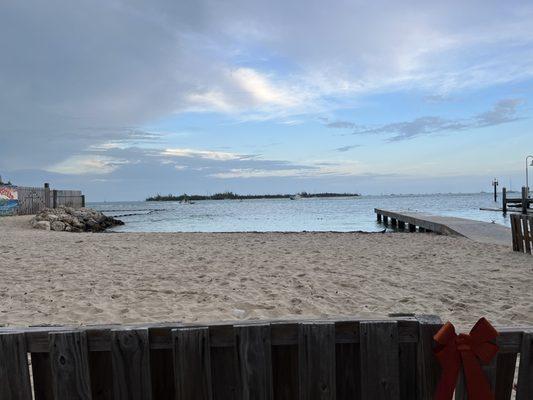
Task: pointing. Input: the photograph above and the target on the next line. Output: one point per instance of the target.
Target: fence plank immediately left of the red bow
(428, 370)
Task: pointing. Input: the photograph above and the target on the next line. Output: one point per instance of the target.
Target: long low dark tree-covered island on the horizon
(234, 196)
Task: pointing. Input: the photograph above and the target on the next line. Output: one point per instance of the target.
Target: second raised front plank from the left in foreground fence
(70, 365)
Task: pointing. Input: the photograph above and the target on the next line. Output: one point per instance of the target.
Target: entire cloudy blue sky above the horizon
(125, 99)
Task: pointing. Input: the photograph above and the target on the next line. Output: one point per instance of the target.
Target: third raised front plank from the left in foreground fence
(130, 356)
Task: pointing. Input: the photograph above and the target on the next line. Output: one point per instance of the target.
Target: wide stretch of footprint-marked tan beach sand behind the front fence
(85, 278)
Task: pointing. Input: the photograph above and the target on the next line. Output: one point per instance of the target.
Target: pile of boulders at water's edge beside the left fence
(73, 220)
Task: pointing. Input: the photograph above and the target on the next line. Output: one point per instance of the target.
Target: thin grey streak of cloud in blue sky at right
(504, 111)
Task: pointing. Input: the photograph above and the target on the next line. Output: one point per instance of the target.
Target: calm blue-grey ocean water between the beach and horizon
(317, 214)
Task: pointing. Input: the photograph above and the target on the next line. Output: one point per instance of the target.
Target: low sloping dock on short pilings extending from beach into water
(483, 232)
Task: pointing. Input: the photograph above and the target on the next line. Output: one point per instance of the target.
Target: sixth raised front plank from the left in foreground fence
(316, 359)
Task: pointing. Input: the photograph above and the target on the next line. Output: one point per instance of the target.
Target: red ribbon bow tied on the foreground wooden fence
(468, 350)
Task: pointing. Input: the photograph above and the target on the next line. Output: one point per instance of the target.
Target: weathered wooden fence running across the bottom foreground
(341, 359)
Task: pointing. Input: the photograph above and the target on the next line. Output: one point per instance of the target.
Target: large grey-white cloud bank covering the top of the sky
(76, 77)
